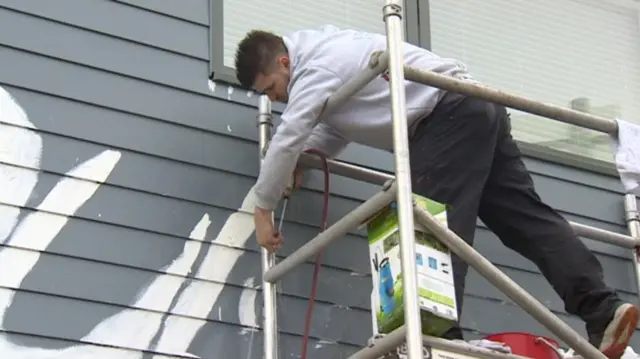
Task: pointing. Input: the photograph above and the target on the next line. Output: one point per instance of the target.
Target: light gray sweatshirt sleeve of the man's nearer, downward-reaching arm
(311, 88)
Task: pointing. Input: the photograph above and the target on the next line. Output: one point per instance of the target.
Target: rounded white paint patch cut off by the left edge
(18, 146)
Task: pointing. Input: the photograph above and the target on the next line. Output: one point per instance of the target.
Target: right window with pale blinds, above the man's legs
(583, 54)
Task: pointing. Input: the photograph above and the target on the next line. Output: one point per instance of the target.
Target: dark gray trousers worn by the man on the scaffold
(463, 155)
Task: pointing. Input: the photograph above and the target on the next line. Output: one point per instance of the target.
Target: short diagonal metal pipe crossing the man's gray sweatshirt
(378, 63)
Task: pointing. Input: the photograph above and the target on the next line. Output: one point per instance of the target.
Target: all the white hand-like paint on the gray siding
(130, 331)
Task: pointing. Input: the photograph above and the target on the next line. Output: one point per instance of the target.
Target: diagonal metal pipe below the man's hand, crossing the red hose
(347, 223)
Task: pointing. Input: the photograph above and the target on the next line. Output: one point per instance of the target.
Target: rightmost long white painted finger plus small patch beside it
(199, 297)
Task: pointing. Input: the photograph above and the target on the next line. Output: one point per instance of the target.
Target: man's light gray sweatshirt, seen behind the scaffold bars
(322, 61)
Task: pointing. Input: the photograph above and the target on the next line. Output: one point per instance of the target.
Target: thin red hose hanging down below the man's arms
(316, 269)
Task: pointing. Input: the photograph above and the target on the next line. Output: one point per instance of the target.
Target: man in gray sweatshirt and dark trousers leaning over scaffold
(462, 154)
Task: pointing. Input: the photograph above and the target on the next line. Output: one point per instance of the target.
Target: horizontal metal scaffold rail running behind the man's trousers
(346, 169)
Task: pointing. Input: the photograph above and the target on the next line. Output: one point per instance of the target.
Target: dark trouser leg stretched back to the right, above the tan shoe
(512, 209)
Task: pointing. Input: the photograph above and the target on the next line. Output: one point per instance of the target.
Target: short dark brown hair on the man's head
(255, 54)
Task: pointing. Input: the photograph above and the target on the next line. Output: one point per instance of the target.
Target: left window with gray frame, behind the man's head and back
(232, 19)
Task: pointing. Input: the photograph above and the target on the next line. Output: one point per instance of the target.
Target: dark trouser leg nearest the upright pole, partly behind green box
(451, 156)
